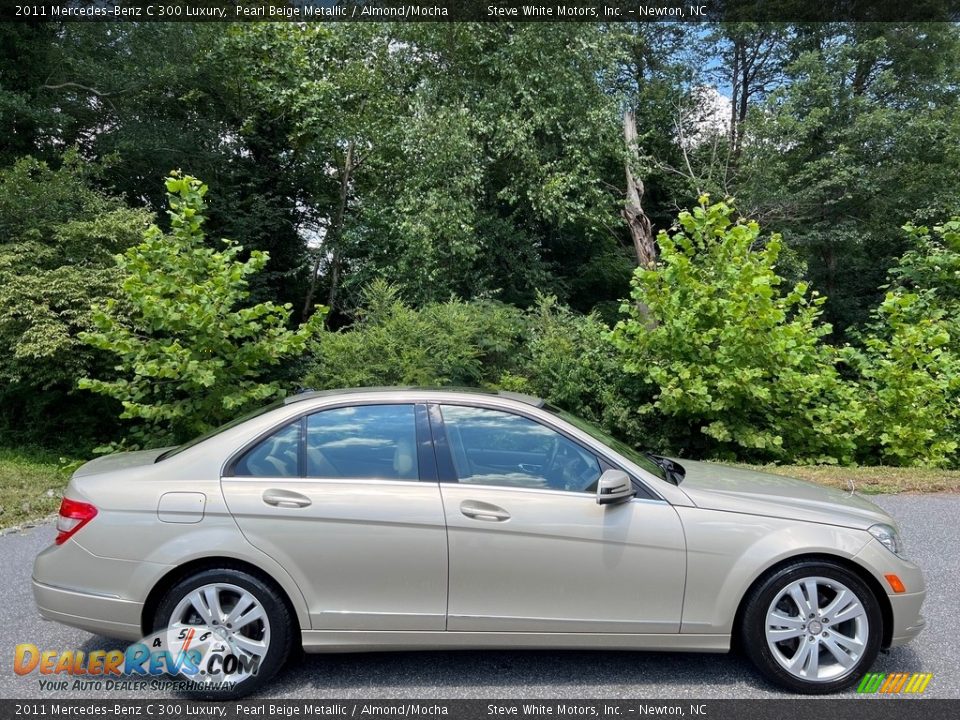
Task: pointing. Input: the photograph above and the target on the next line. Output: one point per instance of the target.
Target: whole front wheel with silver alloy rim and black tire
(819, 654)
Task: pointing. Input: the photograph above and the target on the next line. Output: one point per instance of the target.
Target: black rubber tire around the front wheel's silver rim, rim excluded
(753, 631)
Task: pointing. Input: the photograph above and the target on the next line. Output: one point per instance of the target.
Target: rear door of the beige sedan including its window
(347, 500)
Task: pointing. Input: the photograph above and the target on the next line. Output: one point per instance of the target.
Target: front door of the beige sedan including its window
(530, 548)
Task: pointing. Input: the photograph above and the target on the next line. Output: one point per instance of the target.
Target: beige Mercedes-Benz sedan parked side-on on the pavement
(400, 519)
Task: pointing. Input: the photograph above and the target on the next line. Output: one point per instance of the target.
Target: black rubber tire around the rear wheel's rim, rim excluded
(274, 607)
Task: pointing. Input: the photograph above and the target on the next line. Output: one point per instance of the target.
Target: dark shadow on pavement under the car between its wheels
(513, 674)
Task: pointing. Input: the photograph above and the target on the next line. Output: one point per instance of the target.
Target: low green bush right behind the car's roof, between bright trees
(452, 343)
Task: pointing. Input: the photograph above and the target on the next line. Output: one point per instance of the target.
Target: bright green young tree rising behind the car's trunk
(190, 352)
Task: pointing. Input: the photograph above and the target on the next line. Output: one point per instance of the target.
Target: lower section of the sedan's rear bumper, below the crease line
(99, 614)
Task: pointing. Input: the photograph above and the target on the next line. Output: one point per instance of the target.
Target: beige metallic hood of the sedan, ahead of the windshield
(730, 489)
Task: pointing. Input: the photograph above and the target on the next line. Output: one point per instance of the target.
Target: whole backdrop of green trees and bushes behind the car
(452, 196)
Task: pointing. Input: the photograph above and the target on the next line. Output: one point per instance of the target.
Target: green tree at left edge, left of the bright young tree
(57, 238)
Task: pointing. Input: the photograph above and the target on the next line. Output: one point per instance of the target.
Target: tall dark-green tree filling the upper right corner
(860, 138)
